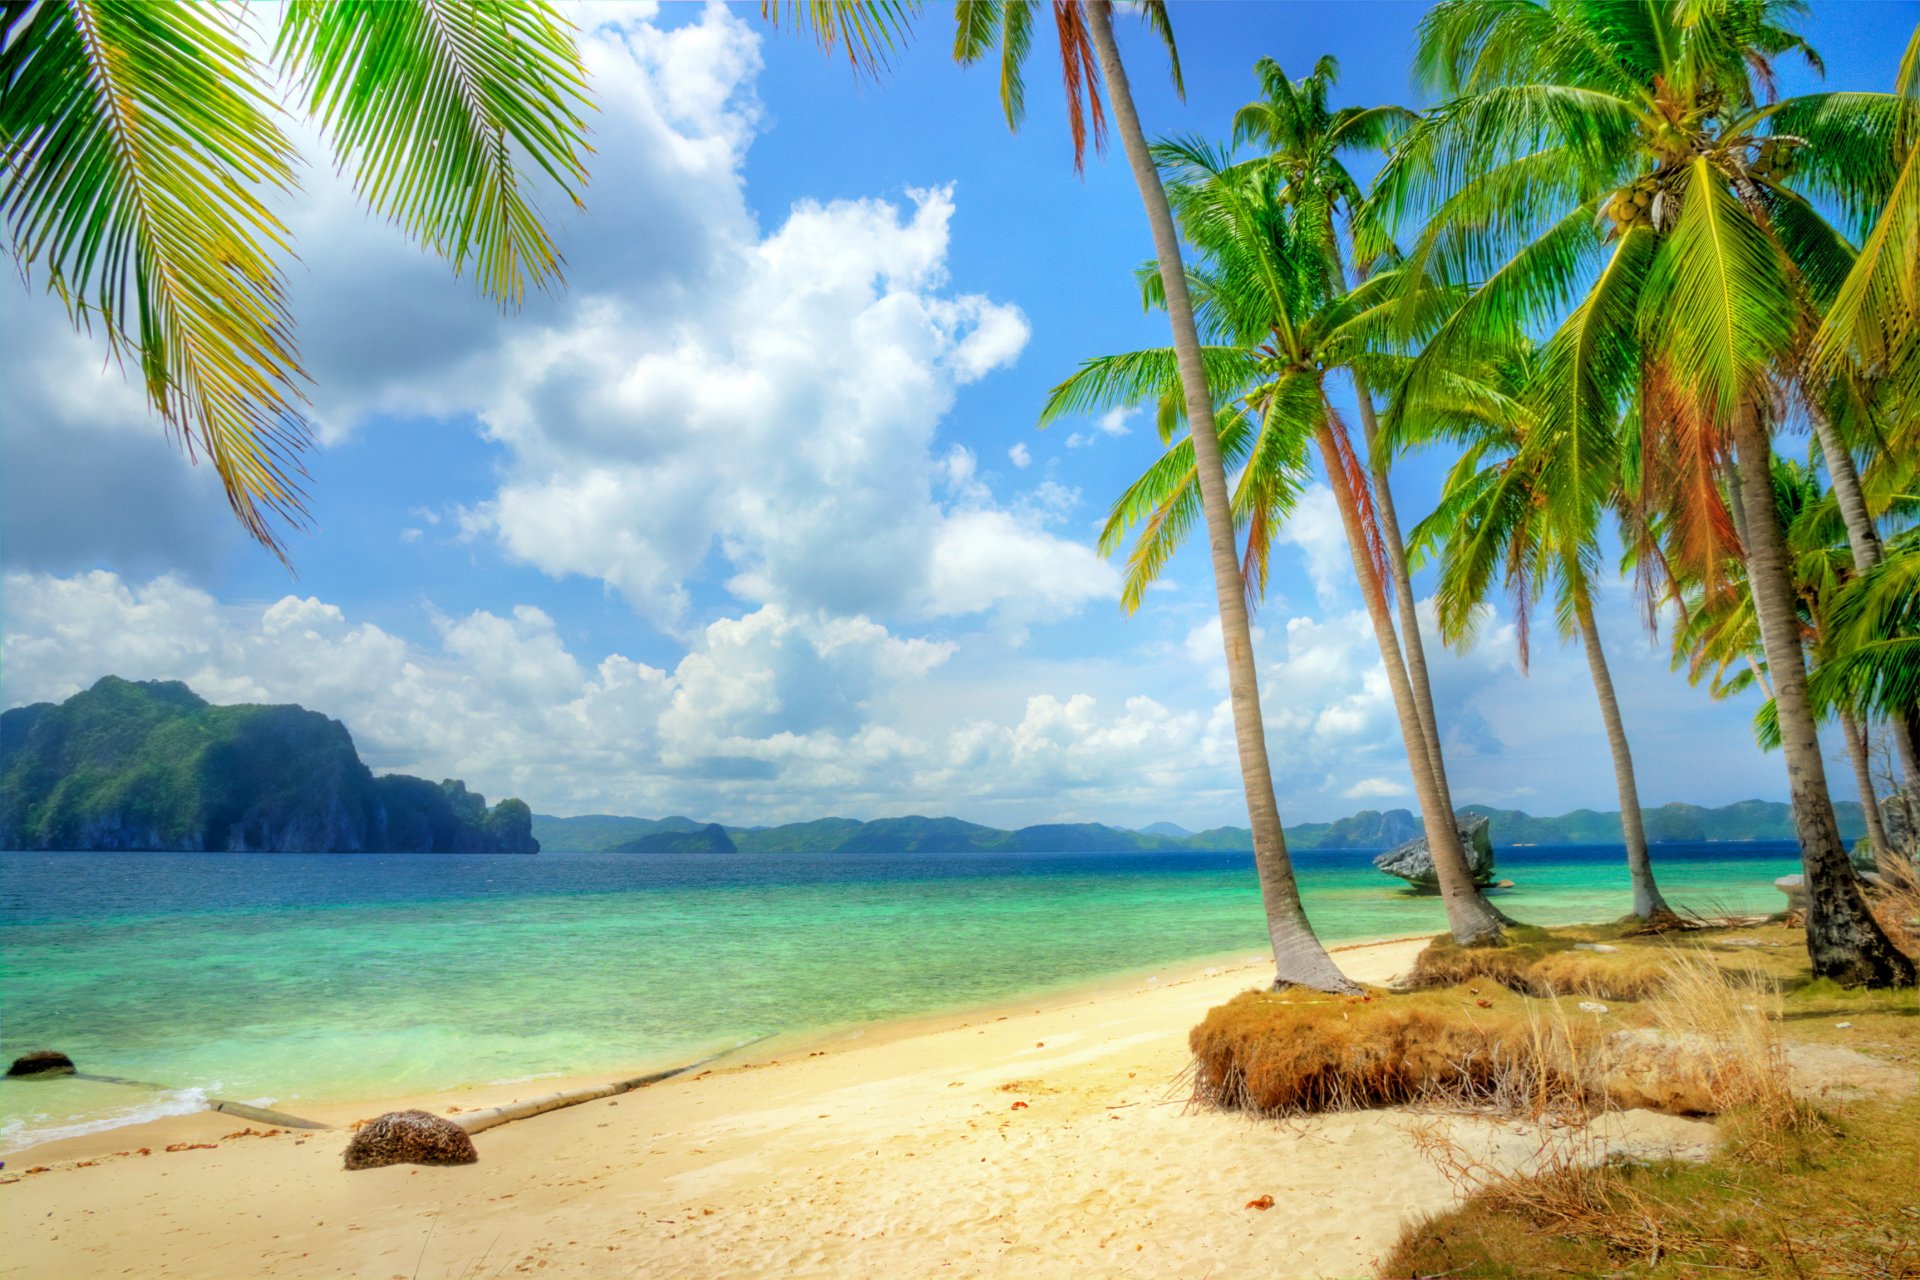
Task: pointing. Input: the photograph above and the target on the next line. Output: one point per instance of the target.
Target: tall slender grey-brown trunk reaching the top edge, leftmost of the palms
(1299, 957)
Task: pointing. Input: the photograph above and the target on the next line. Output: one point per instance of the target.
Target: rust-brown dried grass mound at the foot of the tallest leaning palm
(1293, 1053)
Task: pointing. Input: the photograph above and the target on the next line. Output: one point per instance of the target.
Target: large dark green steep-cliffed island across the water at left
(155, 767)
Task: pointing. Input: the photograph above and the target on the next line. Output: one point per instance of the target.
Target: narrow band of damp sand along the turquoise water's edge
(771, 1051)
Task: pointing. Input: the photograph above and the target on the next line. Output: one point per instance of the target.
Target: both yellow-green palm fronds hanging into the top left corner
(139, 145)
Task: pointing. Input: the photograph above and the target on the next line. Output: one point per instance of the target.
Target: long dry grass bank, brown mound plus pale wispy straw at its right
(1706, 1045)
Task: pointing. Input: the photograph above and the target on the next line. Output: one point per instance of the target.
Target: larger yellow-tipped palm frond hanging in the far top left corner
(137, 145)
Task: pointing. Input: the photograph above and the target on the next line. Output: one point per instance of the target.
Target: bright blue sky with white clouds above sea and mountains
(754, 521)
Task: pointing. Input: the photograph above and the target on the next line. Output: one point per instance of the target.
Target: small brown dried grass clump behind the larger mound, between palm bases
(1547, 964)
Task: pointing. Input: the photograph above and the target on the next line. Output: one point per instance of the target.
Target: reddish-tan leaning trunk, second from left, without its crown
(1470, 916)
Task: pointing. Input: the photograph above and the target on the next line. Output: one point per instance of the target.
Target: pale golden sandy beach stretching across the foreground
(1034, 1141)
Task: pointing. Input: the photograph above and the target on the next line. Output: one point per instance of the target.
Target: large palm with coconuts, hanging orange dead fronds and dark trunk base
(1602, 170)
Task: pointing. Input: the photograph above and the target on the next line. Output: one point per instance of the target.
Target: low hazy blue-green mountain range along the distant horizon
(1370, 830)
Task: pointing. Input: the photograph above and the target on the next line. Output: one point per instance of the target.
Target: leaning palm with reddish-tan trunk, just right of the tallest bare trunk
(1280, 320)
